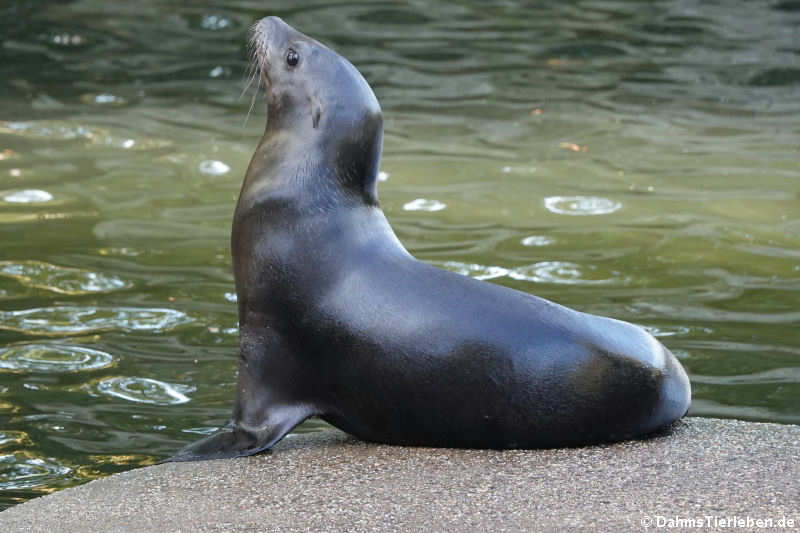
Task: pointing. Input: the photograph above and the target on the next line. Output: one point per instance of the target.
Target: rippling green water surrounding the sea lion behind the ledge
(633, 159)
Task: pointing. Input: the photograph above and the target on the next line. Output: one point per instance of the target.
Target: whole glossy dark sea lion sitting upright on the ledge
(338, 320)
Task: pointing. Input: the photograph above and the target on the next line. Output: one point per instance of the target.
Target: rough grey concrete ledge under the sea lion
(329, 482)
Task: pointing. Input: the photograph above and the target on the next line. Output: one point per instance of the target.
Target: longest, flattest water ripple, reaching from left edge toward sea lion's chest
(71, 320)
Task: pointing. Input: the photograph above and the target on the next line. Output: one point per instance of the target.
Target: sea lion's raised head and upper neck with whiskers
(318, 105)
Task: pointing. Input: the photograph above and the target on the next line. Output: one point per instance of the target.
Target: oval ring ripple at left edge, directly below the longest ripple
(52, 358)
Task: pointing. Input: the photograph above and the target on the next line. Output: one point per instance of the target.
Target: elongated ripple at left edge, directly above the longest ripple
(59, 279)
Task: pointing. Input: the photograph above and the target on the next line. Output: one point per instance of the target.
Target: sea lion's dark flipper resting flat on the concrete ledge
(237, 441)
